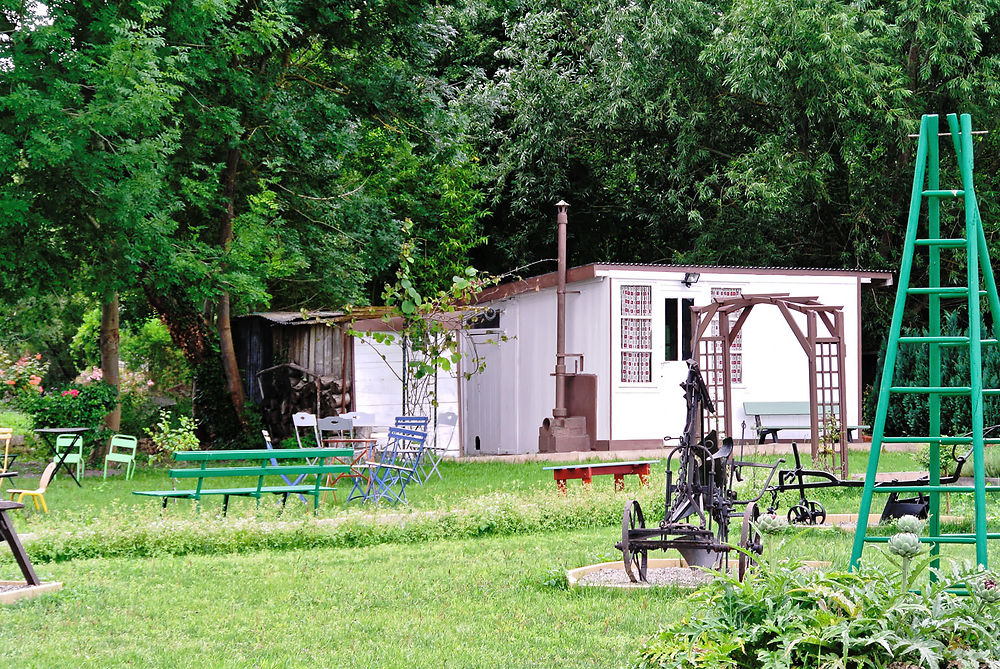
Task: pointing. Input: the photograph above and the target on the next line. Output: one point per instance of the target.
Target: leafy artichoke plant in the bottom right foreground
(784, 617)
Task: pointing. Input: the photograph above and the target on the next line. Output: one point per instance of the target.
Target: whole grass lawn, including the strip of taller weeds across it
(413, 596)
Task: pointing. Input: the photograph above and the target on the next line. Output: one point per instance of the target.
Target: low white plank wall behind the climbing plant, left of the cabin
(378, 389)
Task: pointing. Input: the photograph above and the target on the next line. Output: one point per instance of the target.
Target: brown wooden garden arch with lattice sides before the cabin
(822, 342)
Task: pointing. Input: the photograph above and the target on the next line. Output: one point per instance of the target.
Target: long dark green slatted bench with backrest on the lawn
(318, 455)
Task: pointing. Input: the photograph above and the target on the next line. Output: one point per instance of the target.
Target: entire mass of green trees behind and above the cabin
(748, 132)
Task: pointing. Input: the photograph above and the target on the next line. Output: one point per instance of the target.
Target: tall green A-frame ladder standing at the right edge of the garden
(979, 276)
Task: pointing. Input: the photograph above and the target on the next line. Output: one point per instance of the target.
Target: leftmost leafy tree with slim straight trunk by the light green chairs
(86, 96)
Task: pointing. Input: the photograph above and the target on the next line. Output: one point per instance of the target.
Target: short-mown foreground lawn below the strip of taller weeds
(470, 603)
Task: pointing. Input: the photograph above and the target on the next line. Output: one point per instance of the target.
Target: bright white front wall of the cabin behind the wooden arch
(774, 365)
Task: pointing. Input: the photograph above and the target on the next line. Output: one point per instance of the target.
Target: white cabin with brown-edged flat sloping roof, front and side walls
(639, 400)
